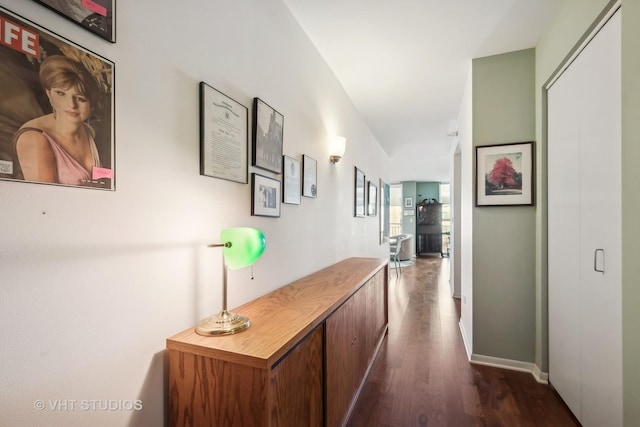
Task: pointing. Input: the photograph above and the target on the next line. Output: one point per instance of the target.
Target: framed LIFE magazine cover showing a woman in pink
(35, 117)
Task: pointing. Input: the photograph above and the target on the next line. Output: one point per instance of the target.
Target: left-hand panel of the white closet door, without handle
(564, 238)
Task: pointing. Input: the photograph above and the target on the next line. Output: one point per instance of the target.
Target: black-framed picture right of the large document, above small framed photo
(268, 127)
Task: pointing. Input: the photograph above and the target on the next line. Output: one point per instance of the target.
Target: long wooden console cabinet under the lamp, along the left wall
(302, 361)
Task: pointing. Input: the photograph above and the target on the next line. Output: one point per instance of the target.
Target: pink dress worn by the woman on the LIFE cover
(68, 170)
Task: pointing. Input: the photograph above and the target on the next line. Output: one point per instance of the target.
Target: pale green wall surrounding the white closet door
(572, 20)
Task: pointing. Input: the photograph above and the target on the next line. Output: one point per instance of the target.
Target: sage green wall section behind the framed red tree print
(504, 238)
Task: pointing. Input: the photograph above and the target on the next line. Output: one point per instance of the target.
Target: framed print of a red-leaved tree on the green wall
(504, 174)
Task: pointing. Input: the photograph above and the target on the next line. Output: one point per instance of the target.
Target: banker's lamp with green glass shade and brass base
(242, 246)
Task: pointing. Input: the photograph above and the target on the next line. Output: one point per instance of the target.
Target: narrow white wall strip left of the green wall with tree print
(465, 142)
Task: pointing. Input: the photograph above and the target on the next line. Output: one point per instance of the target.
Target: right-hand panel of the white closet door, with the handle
(600, 199)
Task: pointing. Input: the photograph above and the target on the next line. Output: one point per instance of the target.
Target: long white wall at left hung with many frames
(93, 282)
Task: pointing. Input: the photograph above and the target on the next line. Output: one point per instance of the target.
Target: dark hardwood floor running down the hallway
(422, 376)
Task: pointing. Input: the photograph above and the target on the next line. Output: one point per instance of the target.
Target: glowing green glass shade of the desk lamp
(243, 246)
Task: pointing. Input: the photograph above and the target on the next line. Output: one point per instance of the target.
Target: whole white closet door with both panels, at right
(584, 134)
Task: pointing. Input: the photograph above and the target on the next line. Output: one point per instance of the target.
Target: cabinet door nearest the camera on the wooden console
(296, 385)
